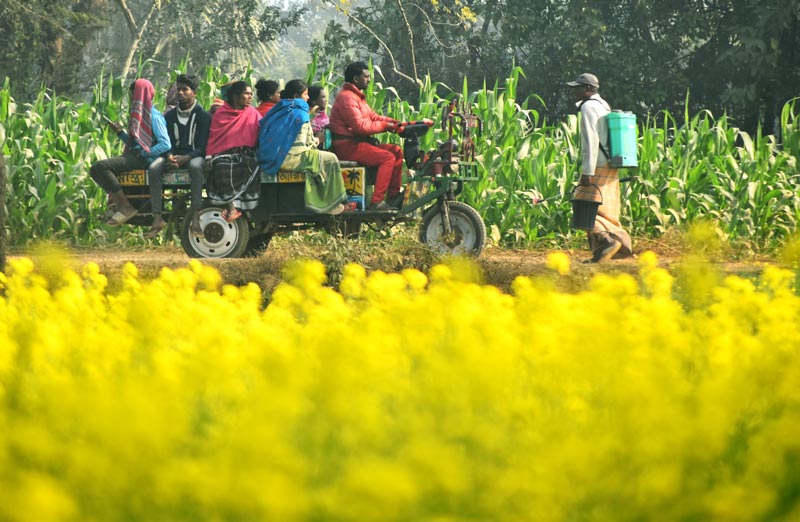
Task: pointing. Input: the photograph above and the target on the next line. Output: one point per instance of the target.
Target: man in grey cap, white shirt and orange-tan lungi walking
(607, 239)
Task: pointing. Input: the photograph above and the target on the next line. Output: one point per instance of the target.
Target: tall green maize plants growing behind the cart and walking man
(703, 169)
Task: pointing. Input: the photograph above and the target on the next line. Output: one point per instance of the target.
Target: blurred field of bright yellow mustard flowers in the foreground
(403, 396)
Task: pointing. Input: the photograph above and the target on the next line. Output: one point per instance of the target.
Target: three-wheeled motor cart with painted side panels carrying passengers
(448, 226)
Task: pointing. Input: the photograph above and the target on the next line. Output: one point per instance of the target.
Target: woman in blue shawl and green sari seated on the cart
(286, 142)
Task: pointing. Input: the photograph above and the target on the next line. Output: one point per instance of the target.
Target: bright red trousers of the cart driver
(386, 156)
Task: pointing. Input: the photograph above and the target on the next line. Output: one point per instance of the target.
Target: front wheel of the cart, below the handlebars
(467, 234)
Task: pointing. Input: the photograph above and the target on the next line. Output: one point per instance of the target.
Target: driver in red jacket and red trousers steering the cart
(352, 124)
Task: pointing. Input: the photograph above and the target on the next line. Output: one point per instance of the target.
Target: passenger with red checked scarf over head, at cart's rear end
(145, 141)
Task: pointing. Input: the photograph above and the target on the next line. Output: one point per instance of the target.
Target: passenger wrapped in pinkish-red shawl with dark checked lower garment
(234, 179)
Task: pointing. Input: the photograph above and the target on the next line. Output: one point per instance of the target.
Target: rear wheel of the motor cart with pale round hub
(219, 239)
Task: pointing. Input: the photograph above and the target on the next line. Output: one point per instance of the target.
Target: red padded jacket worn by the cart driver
(352, 116)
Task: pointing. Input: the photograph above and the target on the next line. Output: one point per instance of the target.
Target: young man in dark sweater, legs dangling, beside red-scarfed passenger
(188, 126)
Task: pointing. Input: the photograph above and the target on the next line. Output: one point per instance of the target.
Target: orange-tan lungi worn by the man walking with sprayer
(607, 225)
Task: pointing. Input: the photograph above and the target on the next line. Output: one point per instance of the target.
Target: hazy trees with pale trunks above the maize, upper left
(46, 42)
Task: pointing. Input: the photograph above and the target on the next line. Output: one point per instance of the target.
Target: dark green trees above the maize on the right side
(736, 56)
